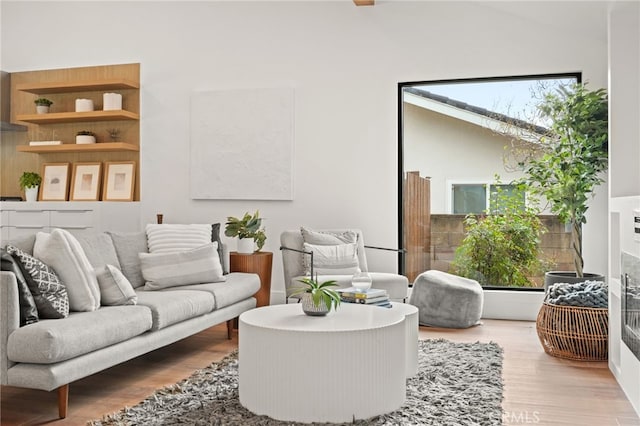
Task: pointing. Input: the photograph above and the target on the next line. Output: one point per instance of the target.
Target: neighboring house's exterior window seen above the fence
(474, 197)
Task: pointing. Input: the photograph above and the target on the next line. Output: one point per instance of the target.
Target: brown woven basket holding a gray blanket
(574, 332)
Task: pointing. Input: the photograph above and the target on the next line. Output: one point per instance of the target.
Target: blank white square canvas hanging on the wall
(241, 144)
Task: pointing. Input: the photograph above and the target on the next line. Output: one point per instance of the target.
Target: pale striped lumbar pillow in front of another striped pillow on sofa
(196, 266)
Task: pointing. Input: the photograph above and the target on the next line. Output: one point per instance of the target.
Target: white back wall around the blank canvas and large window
(344, 63)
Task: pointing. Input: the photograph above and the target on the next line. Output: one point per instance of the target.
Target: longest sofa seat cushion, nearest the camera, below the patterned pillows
(50, 341)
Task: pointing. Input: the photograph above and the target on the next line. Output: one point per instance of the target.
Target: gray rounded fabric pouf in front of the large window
(446, 300)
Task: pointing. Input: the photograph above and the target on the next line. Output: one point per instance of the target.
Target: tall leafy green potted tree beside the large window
(574, 157)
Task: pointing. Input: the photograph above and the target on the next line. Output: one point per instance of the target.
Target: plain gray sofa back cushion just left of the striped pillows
(128, 245)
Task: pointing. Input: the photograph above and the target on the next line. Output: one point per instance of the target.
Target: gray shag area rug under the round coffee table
(456, 384)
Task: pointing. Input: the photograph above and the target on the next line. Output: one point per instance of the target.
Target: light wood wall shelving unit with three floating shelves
(63, 87)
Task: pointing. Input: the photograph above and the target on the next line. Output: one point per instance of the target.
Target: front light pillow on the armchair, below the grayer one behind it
(339, 259)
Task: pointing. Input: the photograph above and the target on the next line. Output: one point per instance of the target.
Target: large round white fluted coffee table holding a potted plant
(348, 364)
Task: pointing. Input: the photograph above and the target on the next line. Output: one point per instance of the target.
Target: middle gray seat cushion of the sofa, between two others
(172, 307)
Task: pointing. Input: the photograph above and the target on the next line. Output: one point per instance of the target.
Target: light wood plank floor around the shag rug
(539, 389)
